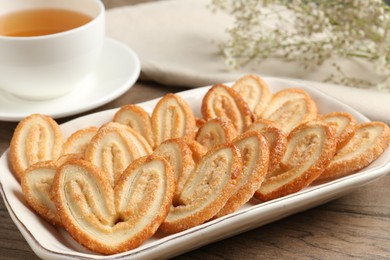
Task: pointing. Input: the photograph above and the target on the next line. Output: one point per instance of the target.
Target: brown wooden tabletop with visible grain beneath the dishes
(354, 226)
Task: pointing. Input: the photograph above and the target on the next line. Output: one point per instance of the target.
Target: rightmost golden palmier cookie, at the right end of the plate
(369, 141)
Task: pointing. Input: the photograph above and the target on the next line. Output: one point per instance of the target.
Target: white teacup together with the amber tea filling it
(48, 48)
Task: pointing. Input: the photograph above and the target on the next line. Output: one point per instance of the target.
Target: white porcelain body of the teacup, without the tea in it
(49, 66)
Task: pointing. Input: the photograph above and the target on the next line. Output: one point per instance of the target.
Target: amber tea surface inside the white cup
(36, 22)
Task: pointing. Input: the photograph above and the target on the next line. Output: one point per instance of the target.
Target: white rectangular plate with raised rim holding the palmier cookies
(49, 242)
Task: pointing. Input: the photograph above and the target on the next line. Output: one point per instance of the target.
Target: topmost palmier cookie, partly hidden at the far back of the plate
(254, 91)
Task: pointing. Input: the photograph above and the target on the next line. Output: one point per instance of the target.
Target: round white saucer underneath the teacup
(116, 72)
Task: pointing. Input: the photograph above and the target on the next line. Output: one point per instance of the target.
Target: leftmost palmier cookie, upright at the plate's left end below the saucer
(36, 138)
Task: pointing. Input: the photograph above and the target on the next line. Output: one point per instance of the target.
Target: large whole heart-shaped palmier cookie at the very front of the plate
(102, 218)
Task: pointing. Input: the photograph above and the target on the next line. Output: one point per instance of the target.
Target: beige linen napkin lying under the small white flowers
(177, 42)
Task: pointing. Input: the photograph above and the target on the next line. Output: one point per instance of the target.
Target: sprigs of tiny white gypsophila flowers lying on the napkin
(311, 32)
